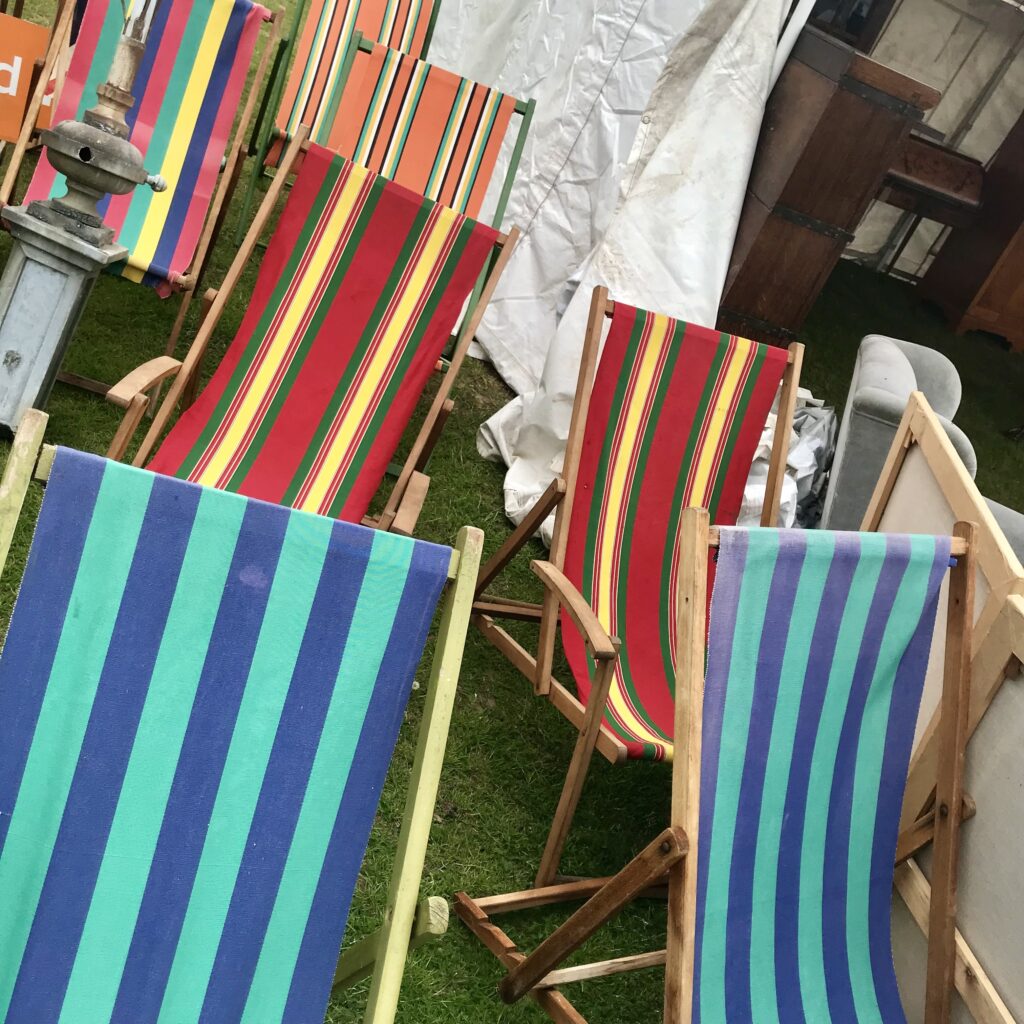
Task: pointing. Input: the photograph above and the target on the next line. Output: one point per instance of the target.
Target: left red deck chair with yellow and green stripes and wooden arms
(357, 297)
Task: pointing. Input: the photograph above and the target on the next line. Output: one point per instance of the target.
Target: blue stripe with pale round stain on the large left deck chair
(232, 646)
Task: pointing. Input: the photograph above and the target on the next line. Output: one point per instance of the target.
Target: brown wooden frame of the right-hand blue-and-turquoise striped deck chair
(671, 858)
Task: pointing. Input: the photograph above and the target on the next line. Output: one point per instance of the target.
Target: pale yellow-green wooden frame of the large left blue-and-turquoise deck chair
(408, 923)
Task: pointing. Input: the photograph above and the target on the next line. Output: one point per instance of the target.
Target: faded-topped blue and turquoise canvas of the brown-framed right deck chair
(819, 647)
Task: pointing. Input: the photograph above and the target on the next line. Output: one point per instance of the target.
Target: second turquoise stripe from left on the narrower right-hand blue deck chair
(764, 1001)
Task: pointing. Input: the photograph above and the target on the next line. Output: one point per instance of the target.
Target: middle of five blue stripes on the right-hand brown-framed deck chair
(813, 700)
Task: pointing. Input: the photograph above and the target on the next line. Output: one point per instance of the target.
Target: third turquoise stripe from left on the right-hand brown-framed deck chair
(809, 948)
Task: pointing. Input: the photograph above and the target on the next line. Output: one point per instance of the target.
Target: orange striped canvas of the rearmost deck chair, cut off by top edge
(329, 29)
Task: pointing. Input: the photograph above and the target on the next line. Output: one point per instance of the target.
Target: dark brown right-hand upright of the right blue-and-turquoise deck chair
(950, 789)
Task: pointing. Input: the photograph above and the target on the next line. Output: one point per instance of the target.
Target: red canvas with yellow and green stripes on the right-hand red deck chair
(674, 421)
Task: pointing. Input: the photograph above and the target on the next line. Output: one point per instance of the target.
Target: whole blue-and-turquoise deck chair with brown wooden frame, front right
(788, 799)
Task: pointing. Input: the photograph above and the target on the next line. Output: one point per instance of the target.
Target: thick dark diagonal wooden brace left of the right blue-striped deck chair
(652, 864)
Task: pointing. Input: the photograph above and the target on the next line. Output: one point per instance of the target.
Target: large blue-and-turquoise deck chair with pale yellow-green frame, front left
(200, 695)
